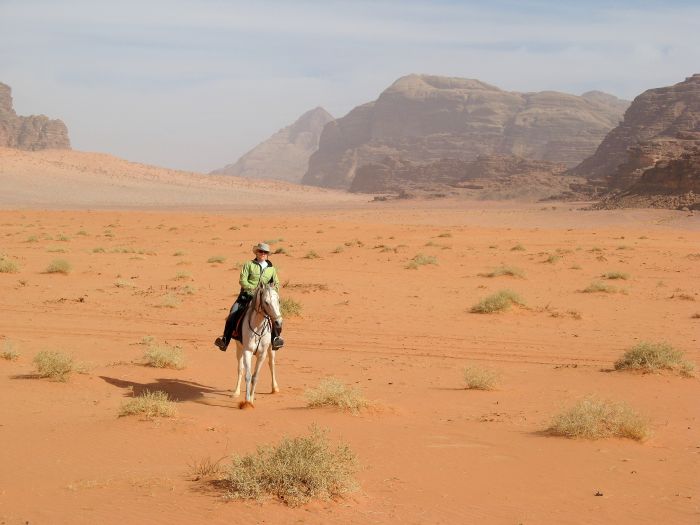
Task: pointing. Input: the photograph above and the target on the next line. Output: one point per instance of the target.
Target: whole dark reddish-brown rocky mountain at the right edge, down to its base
(655, 151)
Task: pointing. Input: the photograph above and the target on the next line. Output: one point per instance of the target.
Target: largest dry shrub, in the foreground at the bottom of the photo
(295, 471)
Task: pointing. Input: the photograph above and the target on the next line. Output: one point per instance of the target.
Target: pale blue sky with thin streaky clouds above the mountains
(194, 84)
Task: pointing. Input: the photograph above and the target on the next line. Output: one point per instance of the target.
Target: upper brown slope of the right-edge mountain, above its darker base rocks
(654, 129)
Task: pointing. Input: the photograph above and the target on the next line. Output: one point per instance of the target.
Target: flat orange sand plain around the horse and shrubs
(430, 451)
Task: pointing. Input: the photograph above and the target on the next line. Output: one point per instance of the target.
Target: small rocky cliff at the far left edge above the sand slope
(29, 133)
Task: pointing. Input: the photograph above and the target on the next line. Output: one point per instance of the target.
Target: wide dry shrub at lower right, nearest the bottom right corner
(592, 418)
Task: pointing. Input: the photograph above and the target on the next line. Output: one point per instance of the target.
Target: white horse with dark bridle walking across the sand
(263, 310)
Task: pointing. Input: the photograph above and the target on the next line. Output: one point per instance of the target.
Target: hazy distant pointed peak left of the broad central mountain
(285, 155)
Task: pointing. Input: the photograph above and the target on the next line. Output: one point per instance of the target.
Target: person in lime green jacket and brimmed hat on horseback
(254, 272)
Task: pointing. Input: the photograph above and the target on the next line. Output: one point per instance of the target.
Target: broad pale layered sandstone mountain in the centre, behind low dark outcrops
(423, 119)
